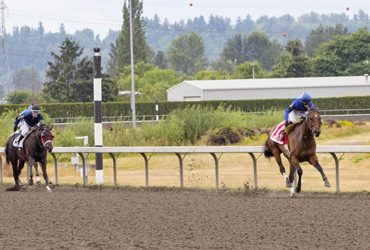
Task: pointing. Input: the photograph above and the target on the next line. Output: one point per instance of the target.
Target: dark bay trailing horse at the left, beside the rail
(35, 147)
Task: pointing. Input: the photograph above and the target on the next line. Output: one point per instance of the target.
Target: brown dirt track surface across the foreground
(93, 218)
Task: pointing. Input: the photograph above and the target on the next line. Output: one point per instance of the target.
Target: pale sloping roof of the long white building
(271, 83)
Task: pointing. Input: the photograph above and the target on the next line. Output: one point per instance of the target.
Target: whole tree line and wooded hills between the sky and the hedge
(268, 47)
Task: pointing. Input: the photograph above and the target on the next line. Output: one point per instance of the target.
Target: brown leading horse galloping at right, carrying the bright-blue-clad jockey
(302, 147)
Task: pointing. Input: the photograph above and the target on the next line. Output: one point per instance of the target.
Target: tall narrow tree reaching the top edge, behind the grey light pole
(142, 51)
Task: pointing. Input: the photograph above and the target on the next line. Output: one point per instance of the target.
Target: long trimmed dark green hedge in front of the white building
(58, 110)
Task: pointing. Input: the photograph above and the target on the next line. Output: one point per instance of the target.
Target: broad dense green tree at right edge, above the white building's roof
(345, 55)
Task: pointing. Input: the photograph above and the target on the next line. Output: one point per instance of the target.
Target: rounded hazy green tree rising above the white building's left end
(186, 54)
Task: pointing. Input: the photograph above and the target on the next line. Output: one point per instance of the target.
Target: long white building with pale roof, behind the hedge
(267, 88)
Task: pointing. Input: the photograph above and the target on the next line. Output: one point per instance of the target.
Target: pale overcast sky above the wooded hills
(103, 15)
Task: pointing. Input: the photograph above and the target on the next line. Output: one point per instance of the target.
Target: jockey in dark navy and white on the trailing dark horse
(27, 119)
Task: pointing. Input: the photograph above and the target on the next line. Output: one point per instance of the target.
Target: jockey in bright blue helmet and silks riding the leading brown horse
(297, 109)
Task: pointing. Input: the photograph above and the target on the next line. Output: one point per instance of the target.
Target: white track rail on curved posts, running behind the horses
(215, 151)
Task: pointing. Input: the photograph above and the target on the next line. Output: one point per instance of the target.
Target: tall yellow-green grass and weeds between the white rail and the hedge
(182, 127)
